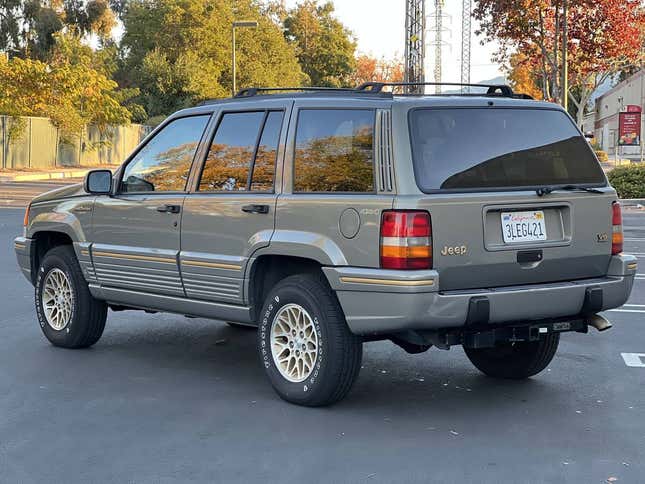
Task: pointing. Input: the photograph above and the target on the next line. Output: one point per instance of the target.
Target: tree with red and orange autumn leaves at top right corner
(605, 36)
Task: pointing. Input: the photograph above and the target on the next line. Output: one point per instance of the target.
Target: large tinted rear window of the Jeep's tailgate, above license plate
(496, 148)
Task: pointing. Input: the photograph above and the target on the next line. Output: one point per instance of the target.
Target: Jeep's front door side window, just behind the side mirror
(164, 162)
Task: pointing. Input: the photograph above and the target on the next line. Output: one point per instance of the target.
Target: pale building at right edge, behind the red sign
(605, 118)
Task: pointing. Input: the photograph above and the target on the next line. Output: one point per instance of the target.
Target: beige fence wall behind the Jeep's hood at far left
(39, 145)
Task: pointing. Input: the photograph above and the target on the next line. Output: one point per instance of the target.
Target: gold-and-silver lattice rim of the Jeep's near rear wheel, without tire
(294, 343)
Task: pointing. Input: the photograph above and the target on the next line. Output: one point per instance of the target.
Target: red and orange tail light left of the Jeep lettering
(406, 240)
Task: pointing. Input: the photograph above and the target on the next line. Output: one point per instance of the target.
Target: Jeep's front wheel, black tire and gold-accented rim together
(83, 319)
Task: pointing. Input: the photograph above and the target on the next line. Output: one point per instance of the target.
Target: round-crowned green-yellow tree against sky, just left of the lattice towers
(324, 46)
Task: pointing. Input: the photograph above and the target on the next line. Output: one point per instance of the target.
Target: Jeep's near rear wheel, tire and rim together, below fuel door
(336, 360)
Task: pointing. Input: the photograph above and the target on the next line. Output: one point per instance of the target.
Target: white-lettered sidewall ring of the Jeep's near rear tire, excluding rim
(307, 390)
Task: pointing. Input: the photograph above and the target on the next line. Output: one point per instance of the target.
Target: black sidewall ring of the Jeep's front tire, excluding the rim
(51, 262)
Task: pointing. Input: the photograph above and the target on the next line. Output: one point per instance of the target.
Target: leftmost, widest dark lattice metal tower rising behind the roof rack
(415, 27)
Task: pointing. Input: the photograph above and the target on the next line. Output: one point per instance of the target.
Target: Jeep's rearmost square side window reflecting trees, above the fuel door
(334, 151)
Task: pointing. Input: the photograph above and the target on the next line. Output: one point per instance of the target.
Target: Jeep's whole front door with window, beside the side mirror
(136, 231)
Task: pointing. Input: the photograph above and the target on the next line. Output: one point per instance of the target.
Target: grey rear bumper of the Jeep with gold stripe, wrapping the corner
(382, 301)
